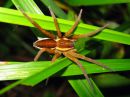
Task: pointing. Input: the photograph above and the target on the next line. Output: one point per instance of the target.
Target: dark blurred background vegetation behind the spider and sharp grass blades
(16, 45)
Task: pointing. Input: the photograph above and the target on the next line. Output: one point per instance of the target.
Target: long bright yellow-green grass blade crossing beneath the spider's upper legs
(13, 16)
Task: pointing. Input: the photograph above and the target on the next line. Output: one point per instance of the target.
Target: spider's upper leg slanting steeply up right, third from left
(67, 34)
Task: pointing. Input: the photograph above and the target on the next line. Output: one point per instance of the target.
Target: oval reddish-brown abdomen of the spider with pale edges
(45, 43)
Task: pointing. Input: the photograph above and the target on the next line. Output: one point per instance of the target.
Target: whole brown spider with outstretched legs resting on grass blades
(63, 44)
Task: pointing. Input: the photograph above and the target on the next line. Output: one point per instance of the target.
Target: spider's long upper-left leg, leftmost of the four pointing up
(37, 25)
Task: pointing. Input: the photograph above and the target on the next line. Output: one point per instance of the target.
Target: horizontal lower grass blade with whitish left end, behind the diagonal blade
(20, 70)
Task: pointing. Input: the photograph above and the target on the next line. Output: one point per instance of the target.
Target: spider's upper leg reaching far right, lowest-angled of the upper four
(90, 33)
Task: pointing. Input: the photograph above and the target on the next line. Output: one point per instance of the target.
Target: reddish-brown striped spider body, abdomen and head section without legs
(61, 44)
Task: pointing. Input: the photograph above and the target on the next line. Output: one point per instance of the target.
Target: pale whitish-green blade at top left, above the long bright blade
(27, 6)
